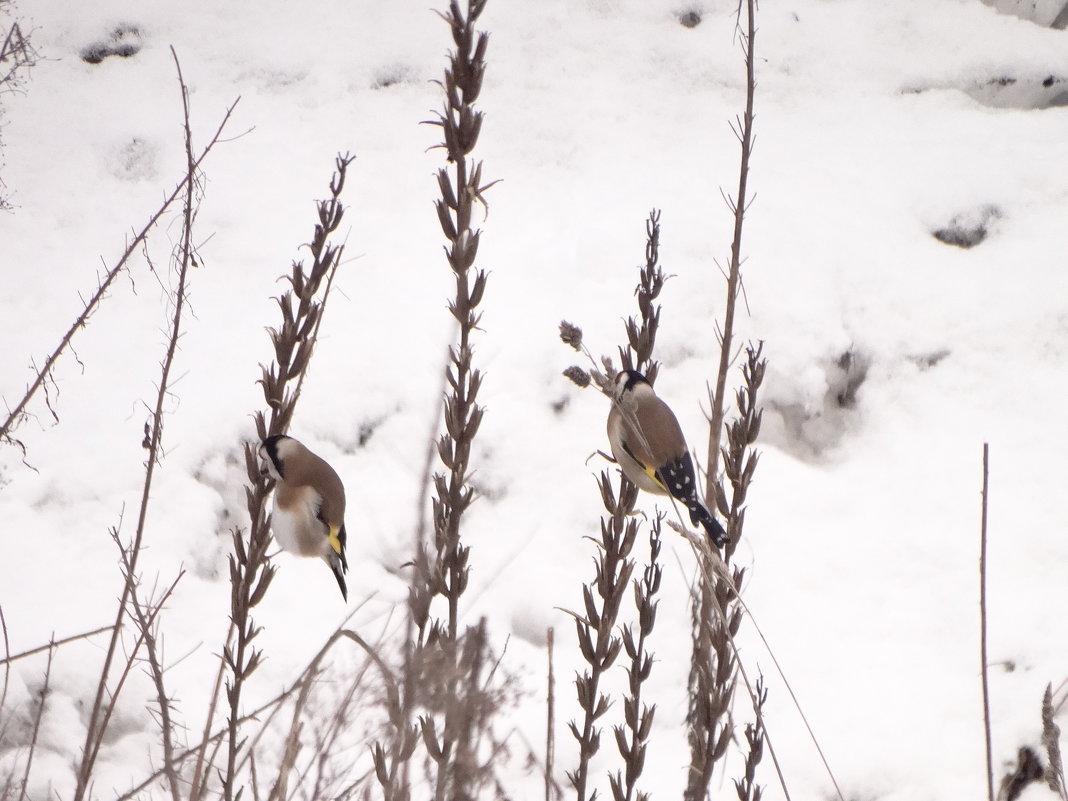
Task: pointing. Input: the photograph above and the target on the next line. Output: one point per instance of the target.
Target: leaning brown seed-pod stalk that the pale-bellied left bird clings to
(250, 571)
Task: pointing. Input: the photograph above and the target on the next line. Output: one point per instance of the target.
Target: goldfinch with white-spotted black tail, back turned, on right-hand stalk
(648, 443)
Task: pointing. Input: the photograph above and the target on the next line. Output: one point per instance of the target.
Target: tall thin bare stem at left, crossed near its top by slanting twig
(102, 710)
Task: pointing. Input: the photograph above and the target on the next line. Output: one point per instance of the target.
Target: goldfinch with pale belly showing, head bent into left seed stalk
(309, 513)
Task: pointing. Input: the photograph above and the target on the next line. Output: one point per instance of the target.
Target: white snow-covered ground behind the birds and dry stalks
(878, 124)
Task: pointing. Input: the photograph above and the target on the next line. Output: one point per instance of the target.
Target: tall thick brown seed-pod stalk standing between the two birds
(442, 665)
